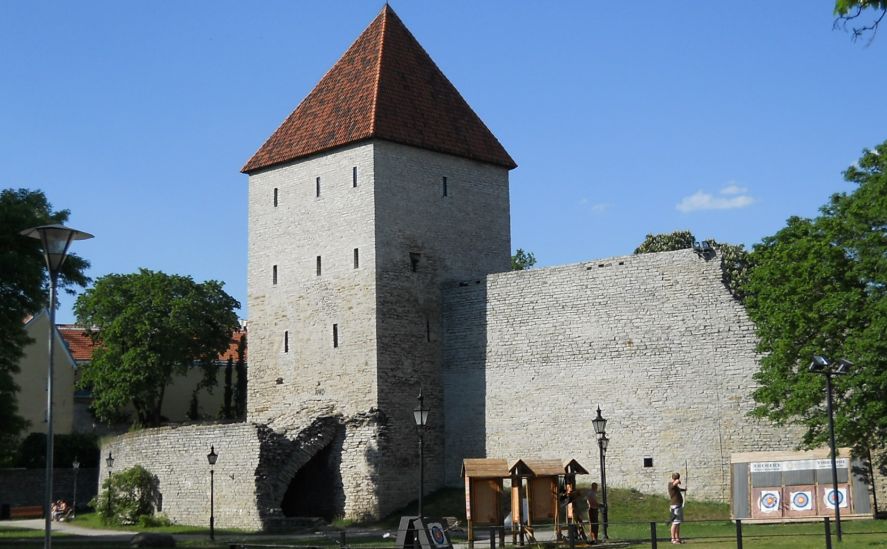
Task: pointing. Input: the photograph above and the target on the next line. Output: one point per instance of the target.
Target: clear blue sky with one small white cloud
(625, 118)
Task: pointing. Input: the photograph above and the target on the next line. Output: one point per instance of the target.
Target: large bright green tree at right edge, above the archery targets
(819, 286)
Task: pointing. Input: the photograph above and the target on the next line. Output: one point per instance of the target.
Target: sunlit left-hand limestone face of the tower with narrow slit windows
(295, 367)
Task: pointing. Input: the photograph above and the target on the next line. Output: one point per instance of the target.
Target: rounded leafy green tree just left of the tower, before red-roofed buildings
(148, 327)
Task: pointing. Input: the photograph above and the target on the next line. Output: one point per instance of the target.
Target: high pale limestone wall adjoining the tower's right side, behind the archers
(655, 340)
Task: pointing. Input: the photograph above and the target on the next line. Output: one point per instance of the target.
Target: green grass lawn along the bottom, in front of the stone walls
(630, 513)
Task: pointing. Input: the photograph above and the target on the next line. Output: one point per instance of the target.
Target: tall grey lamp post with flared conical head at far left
(56, 240)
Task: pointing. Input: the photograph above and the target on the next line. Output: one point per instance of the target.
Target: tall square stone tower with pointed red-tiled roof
(382, 186)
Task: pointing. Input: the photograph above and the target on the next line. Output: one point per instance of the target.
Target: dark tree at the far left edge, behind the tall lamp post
(23, 292)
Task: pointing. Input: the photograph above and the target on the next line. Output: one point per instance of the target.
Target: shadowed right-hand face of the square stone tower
(452, 215)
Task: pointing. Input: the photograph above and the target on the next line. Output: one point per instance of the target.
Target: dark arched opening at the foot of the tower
(312, 492)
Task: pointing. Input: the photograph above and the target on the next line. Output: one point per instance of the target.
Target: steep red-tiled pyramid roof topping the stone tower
(385, 86)
